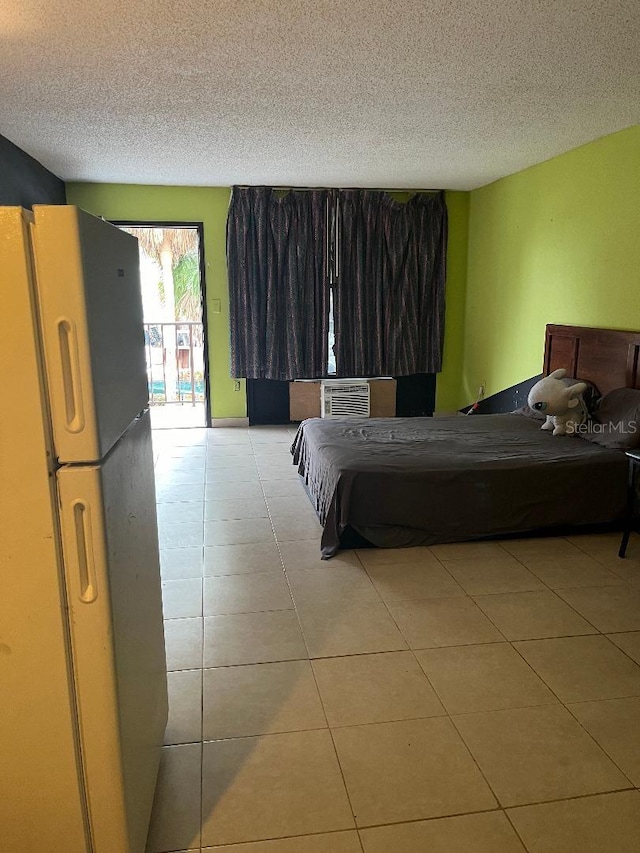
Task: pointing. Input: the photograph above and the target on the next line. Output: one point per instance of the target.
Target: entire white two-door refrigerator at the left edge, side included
(83, 696)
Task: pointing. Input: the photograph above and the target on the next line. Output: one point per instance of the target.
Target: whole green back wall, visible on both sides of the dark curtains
(209, 206)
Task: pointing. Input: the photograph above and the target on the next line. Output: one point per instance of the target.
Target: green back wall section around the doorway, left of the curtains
(182, 204)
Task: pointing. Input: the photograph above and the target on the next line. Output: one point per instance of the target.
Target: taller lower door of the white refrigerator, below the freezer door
(112, 575)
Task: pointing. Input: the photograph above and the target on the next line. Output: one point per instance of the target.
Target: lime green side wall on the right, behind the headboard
(556, 243)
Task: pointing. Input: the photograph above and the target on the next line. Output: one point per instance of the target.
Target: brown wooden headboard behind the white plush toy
(607, 357)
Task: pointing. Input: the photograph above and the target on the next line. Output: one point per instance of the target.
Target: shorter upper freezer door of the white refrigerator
(87, 277)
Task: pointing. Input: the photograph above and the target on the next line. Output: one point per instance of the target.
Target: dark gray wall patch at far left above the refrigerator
(24, 181)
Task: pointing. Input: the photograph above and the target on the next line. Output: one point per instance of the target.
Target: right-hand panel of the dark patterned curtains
(390, 284)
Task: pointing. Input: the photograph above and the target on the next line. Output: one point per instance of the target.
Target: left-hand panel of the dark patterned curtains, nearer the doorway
(278, 283)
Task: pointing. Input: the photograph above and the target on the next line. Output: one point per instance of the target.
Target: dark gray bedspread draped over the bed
(421, 481)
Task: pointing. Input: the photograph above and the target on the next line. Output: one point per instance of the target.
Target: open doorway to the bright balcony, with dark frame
(175, 324)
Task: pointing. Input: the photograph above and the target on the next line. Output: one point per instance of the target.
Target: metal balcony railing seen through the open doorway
(175, 362)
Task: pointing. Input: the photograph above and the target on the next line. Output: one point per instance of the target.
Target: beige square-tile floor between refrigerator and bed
(467, 698)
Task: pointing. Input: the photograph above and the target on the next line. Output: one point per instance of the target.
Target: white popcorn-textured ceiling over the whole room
(397, 93)
